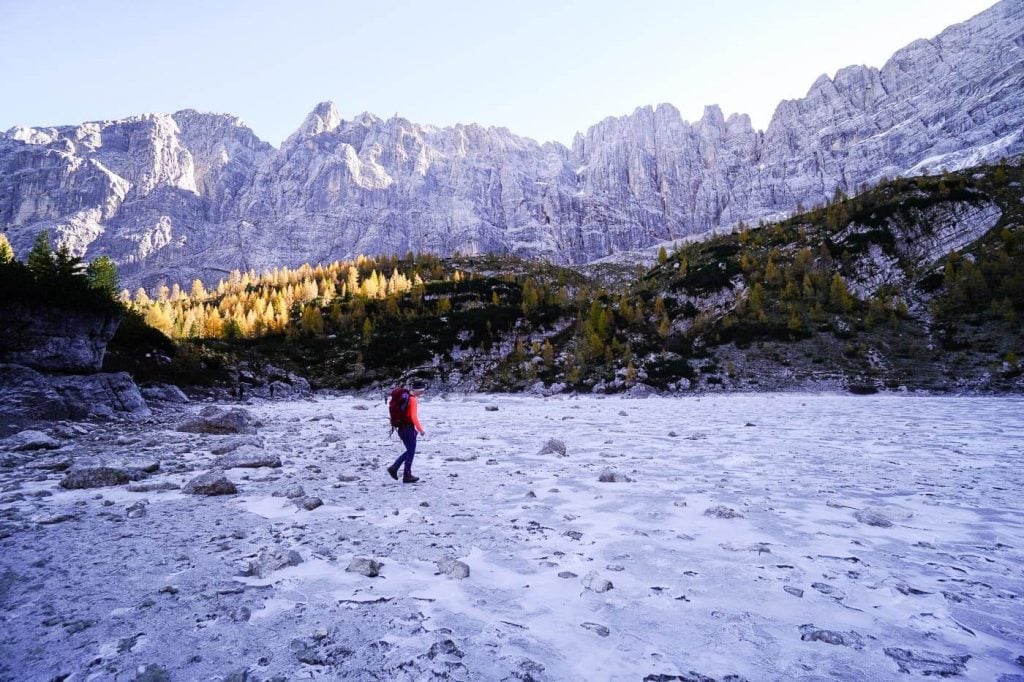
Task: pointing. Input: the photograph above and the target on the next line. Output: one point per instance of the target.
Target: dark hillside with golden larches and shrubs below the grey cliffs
(916, 283)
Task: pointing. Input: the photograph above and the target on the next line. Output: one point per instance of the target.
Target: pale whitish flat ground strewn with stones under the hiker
(692, 593)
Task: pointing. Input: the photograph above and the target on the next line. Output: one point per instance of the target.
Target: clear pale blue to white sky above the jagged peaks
(545, 69)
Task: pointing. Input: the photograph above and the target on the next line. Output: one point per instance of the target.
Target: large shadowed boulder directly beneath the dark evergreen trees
(56, 339)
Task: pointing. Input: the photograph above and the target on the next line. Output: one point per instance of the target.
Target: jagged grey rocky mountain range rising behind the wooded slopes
(175, 197)
